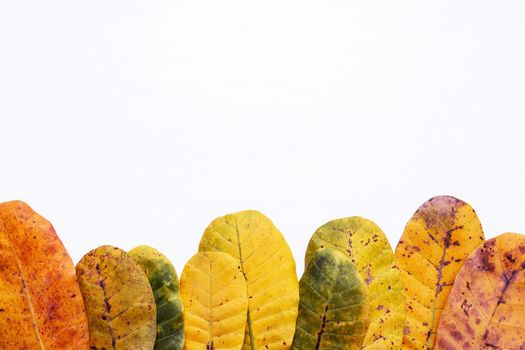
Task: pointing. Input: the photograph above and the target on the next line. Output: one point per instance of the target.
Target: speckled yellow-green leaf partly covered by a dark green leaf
(367, 246)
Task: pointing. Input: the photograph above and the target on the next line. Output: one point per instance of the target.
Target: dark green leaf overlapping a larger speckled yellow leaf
(333, 310)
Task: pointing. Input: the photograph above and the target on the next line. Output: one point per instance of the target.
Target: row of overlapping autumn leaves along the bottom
(445, 287)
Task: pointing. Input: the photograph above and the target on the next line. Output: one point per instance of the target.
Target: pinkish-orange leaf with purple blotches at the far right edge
(486, 307)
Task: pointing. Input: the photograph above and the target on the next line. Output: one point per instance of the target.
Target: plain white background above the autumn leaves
(126, 123)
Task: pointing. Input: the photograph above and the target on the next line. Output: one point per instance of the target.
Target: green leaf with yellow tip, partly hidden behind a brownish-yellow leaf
(165, 284)
